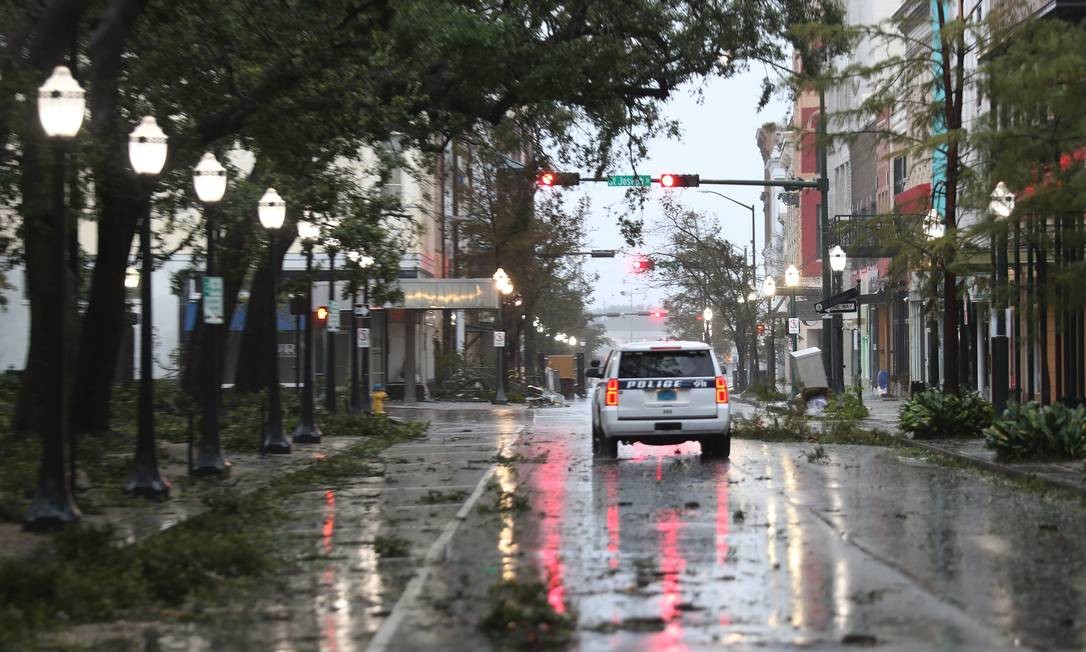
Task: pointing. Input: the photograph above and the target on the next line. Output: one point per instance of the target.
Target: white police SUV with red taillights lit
(661, 394)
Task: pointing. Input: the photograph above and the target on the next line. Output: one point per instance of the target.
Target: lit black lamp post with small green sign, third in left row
(209, 179)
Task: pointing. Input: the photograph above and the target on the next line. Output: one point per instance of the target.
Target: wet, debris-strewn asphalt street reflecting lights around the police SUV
(777, 549)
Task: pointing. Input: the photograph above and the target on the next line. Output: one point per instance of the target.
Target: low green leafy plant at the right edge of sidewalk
(1033, 432)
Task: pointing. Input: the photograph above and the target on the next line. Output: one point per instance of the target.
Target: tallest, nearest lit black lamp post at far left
(61, 107)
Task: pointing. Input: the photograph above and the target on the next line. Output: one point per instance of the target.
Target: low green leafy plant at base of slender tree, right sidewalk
(932, 415)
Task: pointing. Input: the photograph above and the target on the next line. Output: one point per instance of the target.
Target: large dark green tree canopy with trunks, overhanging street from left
(301, 85)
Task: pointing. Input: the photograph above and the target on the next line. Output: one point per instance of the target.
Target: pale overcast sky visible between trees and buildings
(717, 142)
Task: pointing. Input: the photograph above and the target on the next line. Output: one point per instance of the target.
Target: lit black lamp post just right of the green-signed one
(273, 211)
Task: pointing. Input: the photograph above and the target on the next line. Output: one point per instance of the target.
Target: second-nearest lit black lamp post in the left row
(147, 152)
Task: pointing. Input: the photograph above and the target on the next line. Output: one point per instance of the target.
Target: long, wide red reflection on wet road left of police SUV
(551, 483)
